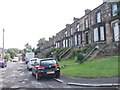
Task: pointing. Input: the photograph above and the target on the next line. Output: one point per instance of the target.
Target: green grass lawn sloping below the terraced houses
(107, 67)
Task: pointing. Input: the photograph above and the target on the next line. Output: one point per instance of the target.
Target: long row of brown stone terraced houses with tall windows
(101, 25)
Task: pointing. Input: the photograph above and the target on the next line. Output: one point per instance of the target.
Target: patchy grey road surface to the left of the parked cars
(15, 75)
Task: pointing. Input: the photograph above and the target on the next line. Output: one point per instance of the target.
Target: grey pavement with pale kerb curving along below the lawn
(90, 82)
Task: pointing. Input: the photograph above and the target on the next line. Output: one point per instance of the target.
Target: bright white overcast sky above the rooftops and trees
(26, 21)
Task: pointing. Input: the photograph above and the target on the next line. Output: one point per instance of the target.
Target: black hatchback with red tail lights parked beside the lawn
(46, 67)
